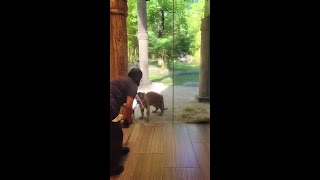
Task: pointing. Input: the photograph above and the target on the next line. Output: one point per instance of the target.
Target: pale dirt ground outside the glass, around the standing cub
(174, 97)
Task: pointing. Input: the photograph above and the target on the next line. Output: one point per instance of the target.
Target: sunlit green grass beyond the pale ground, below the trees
(178, 79)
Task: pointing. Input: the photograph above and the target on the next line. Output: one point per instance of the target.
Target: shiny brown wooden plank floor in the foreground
(167, 152)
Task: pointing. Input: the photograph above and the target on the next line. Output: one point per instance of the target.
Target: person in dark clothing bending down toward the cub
(122, 91)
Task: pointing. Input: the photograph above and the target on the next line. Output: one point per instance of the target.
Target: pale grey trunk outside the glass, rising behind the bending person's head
(143, 41)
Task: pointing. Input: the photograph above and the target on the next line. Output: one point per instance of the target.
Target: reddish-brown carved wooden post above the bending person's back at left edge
(118, 39)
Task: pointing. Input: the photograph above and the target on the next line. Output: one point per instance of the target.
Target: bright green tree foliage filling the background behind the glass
(186, 22)
